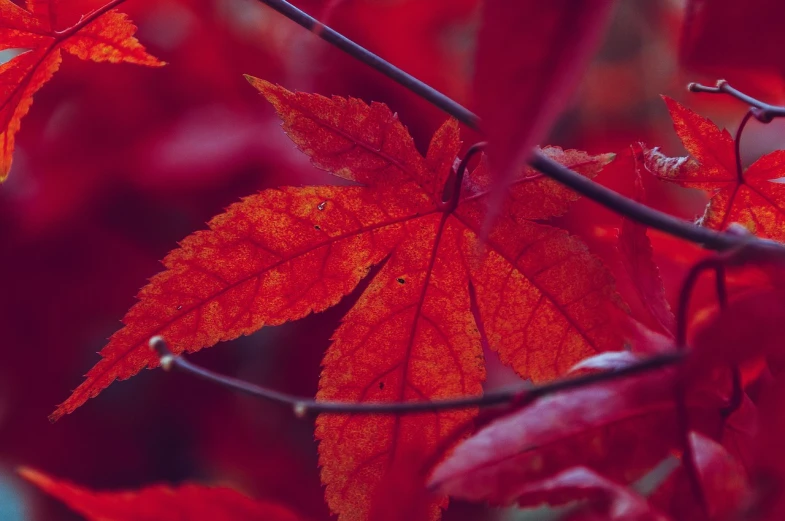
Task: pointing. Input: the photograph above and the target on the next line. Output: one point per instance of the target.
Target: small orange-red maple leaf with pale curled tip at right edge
(754, 198)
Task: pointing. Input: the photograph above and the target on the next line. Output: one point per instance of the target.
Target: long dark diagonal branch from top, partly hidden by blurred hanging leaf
(584, 186)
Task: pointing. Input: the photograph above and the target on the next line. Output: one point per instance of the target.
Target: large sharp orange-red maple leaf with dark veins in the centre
(543, 300)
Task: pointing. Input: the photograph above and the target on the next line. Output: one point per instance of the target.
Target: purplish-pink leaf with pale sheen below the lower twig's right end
(620, 429)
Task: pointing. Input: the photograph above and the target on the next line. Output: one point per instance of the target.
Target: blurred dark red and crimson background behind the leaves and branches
(116, 163)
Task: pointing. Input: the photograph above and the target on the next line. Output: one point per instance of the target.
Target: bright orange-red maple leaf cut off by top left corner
(103, 35)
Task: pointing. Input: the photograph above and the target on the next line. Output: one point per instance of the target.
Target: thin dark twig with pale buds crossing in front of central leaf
(306, 406)
